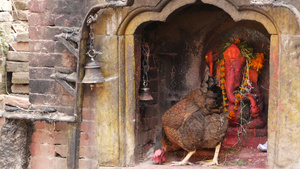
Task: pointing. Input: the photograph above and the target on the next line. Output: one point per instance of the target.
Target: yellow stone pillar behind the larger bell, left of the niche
(107, 102)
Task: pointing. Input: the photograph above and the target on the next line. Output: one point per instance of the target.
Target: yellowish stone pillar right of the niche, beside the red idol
(284, 118)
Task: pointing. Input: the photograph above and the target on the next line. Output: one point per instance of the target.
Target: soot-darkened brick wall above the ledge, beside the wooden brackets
(47, 19)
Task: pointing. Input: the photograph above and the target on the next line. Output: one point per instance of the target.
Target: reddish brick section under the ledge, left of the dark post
(48, 148)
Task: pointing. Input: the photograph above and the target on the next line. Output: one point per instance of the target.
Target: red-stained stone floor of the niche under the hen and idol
(237, 152)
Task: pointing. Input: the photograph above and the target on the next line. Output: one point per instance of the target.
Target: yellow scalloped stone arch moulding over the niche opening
(163, 10)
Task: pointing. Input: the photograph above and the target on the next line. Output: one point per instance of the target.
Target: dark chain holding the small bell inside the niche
(145, 63)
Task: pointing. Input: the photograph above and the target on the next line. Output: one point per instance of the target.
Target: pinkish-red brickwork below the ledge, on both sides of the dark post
(49, 144)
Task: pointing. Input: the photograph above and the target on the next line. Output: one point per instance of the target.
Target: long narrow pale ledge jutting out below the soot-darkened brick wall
(37, 116)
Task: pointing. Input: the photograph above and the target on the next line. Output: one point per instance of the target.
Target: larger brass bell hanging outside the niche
(93, 73)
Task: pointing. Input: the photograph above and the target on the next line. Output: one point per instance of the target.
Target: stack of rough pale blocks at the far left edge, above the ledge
(15, 60)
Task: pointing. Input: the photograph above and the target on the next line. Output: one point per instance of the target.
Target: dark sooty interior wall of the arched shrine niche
(177, 63)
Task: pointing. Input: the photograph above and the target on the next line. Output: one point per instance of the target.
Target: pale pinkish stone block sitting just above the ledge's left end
(18, 101)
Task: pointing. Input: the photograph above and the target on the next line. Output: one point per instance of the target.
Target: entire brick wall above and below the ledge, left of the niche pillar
(46, 19)
